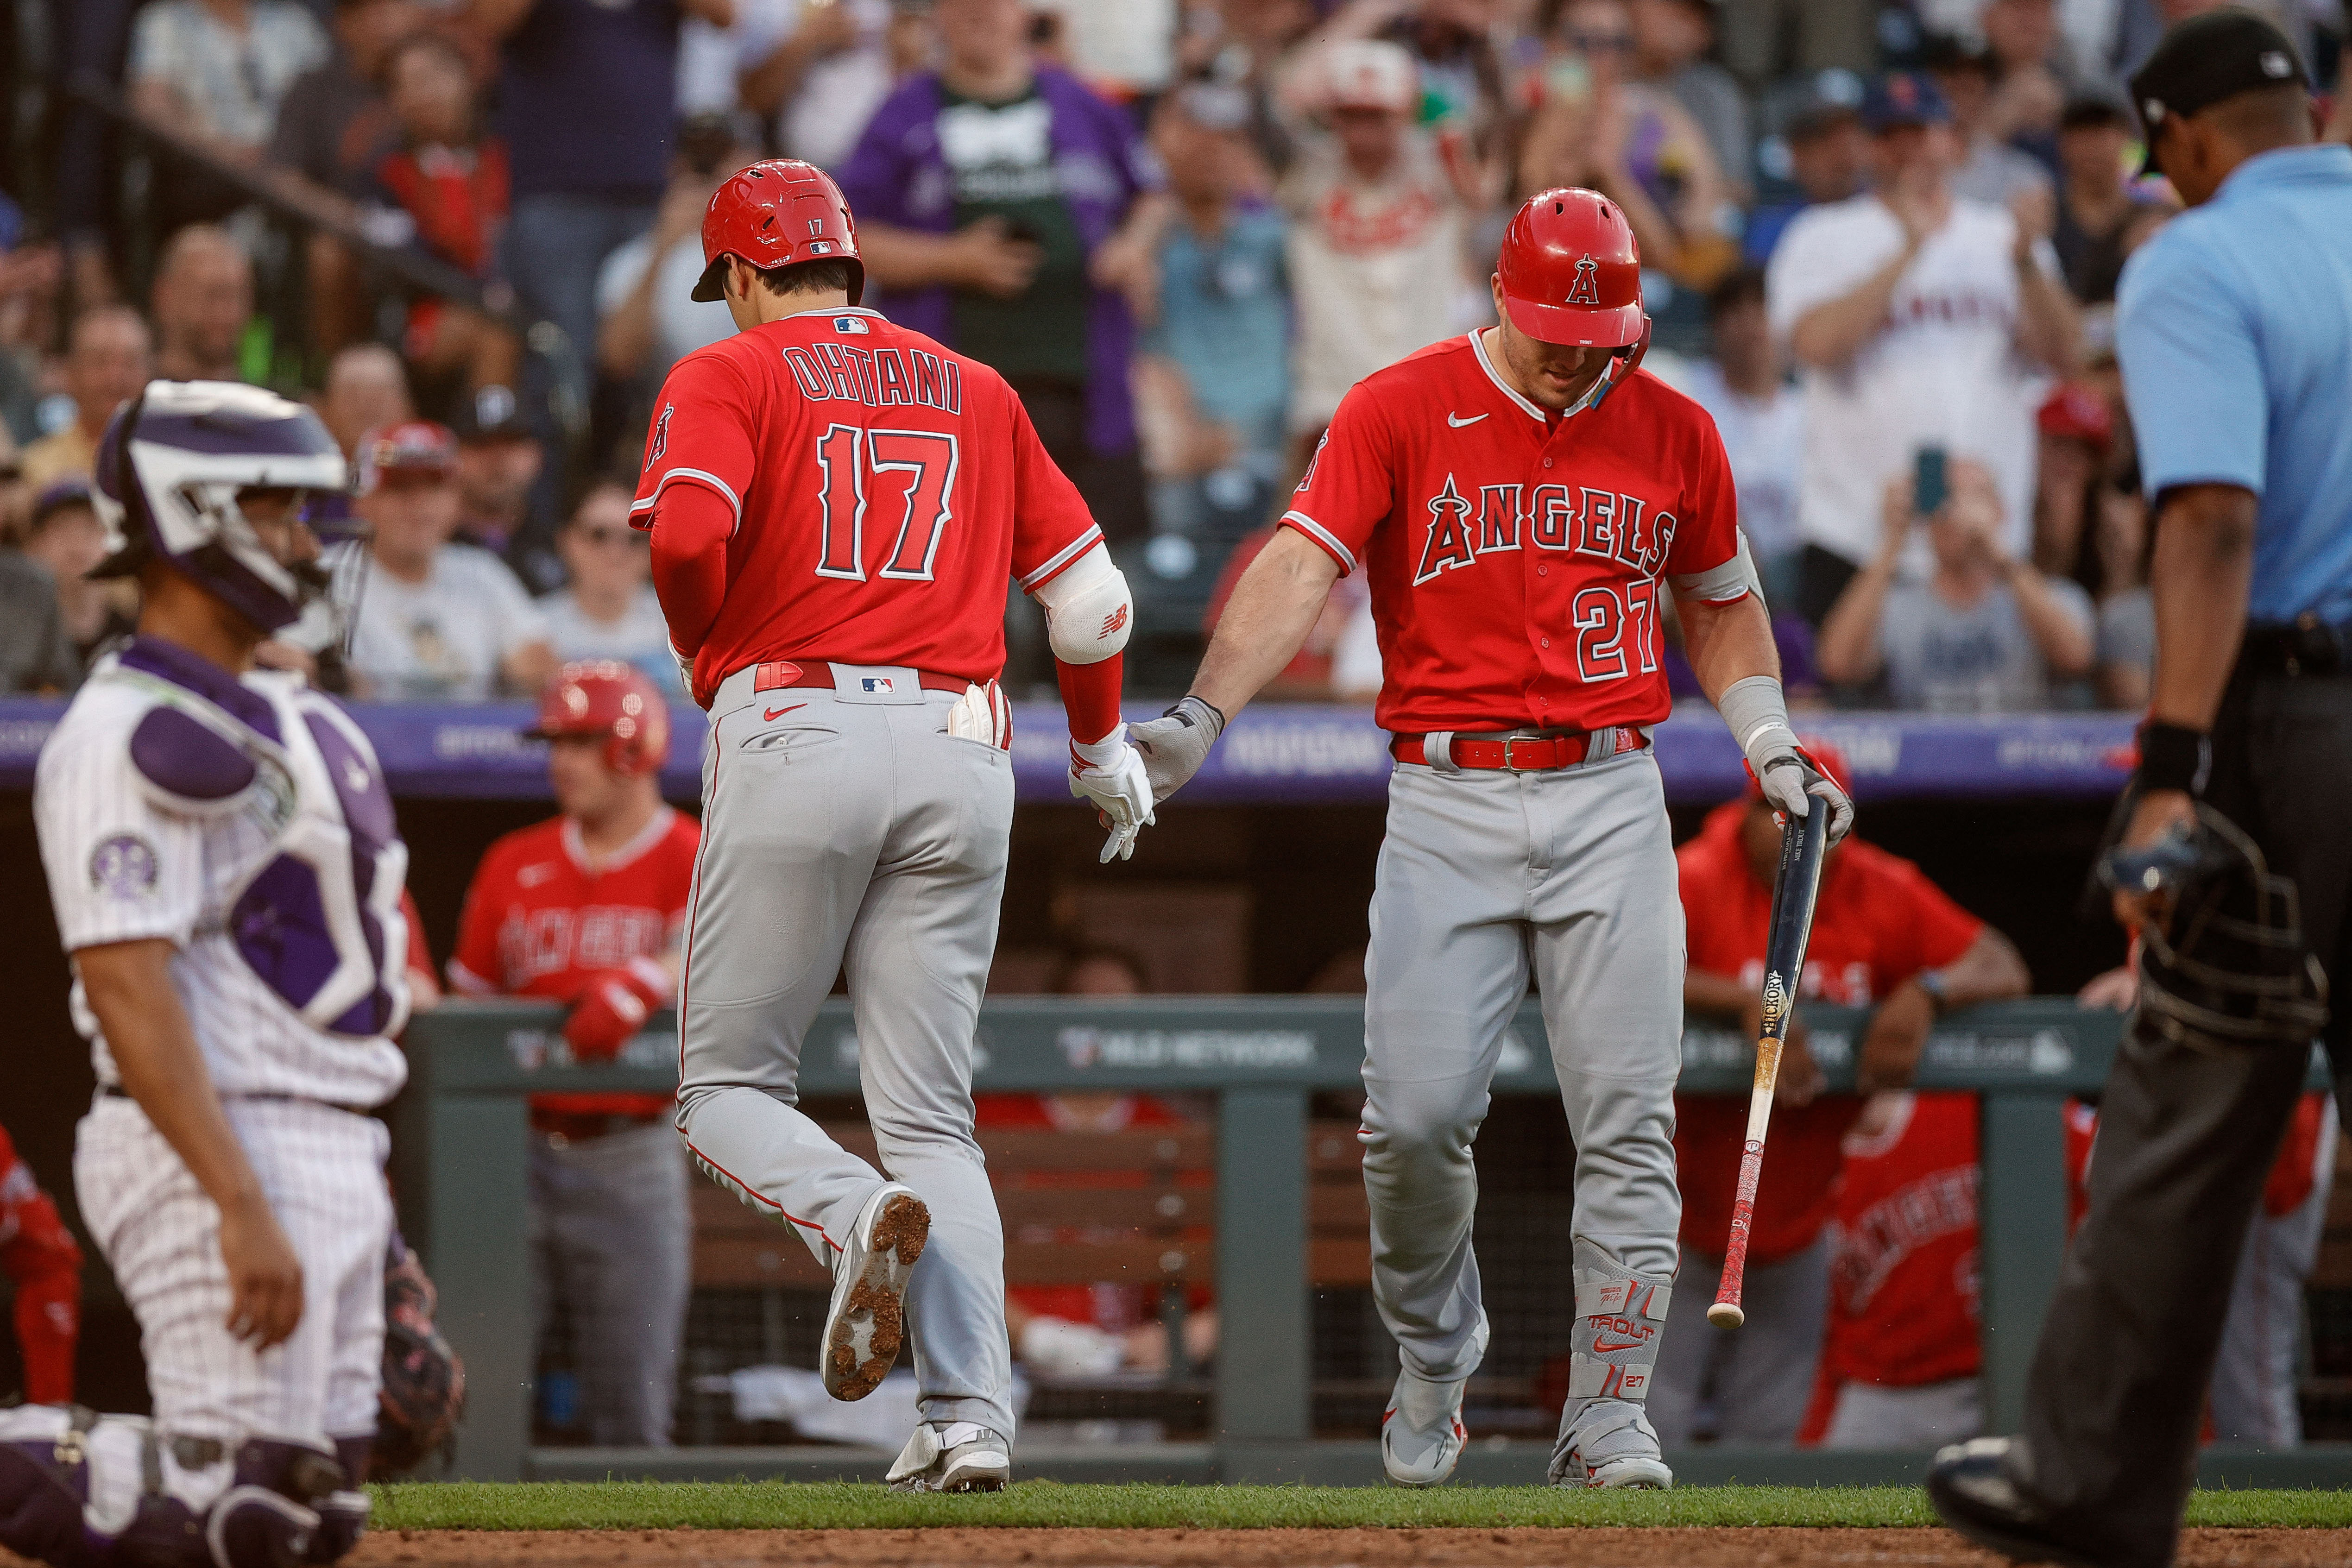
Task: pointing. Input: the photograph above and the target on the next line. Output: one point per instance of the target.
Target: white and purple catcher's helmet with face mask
(171, 474)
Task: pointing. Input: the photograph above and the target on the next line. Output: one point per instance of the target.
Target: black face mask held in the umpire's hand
(2221, 956)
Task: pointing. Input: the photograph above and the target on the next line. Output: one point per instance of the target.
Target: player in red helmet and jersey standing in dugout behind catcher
(589, 909)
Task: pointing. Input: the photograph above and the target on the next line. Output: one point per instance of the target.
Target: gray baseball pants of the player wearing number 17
(853, 831)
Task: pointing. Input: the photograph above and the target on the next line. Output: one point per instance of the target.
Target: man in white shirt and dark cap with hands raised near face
(1918, 321)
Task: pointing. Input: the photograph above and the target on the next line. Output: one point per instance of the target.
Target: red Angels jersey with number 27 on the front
(1516, 558)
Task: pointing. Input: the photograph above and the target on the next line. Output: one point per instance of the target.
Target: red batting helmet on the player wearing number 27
(1572, 272)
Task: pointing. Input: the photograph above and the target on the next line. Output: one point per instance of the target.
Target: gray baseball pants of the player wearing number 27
(1490, 878)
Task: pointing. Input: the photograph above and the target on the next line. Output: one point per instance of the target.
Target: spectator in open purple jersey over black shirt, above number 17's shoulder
(1013, 215)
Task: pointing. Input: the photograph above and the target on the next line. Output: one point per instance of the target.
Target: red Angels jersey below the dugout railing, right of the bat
(1904, 1271)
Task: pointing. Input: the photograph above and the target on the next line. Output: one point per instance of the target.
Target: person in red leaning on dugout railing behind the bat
(1885, 939)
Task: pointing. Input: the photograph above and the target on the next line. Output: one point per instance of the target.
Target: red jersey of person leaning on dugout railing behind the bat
(1878, 923)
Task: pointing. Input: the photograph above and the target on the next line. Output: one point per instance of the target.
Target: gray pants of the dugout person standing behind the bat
(1760, 1374)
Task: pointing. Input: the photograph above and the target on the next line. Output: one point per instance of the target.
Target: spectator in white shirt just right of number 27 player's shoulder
(1763, 424)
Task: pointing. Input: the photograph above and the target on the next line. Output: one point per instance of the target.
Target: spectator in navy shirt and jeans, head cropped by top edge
(587, 93)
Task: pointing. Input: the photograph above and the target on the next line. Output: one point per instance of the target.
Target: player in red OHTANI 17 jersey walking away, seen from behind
(836, 509)
